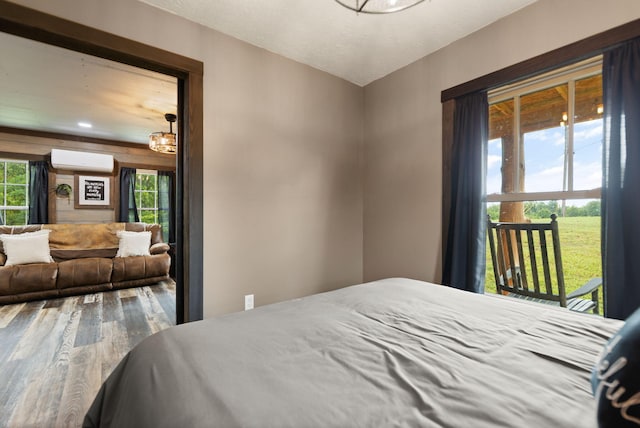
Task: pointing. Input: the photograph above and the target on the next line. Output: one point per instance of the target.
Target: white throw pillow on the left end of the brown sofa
(29, 247)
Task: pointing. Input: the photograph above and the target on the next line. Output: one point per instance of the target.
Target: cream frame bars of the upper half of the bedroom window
(566, 75)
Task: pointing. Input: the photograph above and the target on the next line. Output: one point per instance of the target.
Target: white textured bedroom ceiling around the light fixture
(360, 48)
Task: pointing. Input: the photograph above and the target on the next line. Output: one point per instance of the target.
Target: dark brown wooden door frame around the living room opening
(32, 24)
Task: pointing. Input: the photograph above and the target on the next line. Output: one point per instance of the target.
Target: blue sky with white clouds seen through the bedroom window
(544, 159)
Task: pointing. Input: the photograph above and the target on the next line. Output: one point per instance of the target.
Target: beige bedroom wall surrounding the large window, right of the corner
(403, 126)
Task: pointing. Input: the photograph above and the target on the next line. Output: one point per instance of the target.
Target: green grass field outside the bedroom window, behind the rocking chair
(581, 259)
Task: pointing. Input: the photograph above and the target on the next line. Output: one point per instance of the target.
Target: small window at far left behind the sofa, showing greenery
(14, 192)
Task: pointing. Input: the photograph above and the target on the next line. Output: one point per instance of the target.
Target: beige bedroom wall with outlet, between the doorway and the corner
(282, 159)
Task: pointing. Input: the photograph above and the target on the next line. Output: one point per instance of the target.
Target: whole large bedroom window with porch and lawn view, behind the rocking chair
(545, 157)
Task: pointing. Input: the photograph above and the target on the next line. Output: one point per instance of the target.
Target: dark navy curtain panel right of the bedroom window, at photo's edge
(621, 180)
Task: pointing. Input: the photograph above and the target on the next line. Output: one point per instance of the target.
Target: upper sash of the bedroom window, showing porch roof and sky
(545, 140)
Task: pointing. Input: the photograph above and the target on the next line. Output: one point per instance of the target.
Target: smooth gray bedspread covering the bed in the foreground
(390, 353)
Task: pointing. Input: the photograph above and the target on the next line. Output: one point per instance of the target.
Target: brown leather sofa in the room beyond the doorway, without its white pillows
(84, 261)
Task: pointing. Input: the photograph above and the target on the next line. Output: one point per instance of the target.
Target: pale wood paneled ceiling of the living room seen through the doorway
(46, 88)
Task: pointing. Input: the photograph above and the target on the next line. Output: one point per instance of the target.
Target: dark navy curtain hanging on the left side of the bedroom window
(464, 262)
